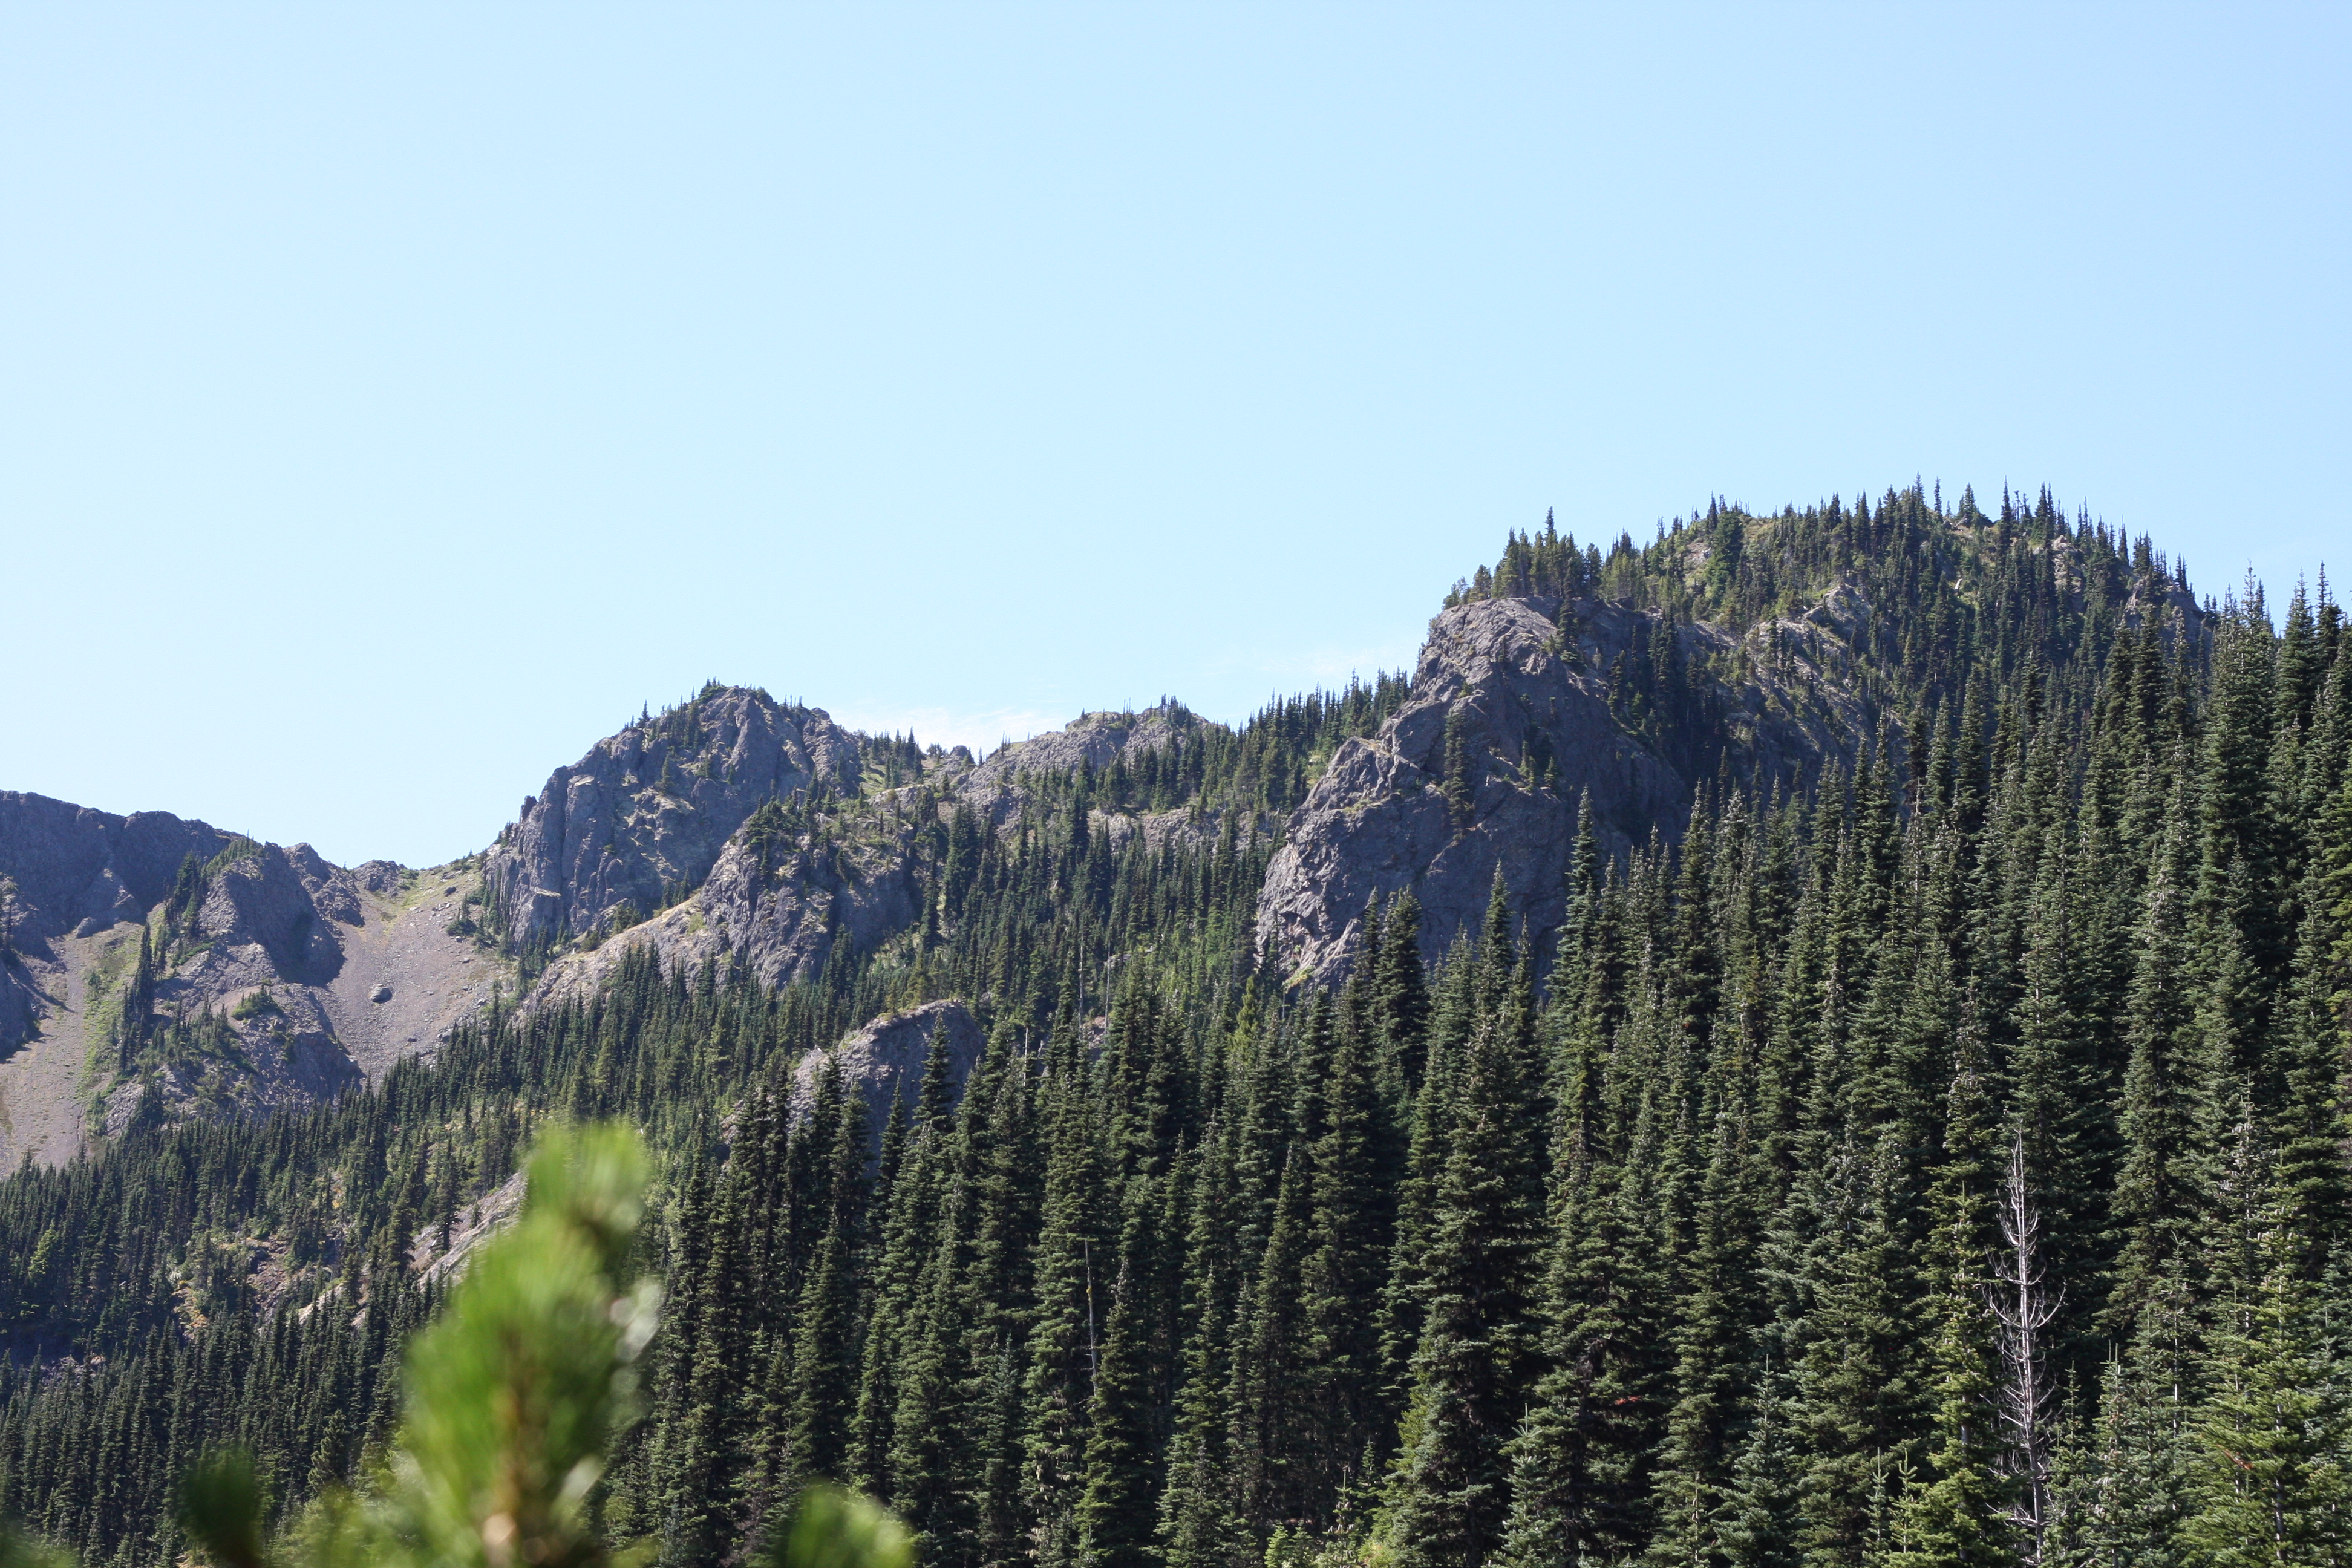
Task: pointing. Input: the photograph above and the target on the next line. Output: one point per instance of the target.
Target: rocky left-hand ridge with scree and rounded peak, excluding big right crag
(730, 826)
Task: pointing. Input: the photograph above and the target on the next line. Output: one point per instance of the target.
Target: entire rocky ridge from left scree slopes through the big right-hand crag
(740, 829)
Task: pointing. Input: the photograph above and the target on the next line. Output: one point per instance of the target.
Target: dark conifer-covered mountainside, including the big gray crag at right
(1909, 1137)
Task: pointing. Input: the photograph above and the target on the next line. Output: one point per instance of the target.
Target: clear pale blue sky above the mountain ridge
(394, 398)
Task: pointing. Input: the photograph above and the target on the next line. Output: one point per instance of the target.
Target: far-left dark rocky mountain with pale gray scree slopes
(161, 970)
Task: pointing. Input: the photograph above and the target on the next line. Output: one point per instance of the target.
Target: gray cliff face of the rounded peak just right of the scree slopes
(648, 812)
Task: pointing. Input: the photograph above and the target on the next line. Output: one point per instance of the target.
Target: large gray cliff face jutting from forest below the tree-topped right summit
(1525, 690)
